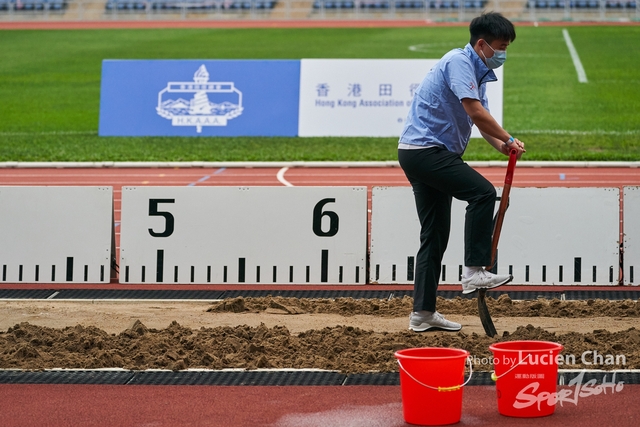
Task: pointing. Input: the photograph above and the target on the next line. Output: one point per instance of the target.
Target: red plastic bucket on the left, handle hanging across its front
(431, 381)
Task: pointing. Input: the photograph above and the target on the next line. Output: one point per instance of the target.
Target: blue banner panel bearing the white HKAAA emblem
(199, 98)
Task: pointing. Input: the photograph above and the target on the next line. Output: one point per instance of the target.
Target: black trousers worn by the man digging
(436, 176)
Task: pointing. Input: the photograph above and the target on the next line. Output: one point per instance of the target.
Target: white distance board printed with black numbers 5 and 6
(252, 235)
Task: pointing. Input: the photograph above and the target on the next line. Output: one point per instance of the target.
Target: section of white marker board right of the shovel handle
(562, 236)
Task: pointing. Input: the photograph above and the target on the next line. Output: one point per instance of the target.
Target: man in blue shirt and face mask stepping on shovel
(450, 99)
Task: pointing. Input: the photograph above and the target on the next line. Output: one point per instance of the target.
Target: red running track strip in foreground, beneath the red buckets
(278, 406)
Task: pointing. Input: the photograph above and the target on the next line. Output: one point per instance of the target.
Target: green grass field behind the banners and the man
(50, 91)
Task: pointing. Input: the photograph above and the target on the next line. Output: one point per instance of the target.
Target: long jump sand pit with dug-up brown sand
(343, 334)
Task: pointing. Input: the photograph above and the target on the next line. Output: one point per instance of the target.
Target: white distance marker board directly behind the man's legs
(549, 236)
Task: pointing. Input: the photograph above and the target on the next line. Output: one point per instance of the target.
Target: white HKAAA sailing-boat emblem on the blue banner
(198, 109)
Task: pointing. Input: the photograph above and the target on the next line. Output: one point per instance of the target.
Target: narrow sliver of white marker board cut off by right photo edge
(631, 235)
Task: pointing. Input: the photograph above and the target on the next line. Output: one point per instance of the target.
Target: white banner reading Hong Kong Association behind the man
(367, 97)
